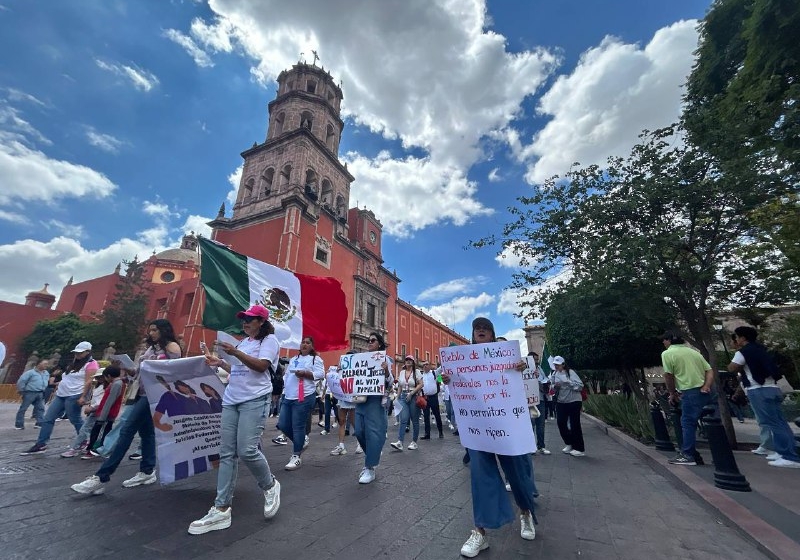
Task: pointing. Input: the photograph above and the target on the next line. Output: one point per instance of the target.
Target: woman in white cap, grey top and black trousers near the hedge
(569, 402)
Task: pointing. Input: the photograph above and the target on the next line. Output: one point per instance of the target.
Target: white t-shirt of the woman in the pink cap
(245, 384)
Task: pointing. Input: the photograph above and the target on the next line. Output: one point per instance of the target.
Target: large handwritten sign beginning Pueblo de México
(488, 397)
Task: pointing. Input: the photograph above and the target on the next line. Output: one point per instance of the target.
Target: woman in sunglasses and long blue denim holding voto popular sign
(371, 420)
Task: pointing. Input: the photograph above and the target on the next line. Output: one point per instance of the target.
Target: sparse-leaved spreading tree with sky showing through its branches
(667, 217)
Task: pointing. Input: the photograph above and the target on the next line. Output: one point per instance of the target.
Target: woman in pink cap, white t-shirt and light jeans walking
(244, 410)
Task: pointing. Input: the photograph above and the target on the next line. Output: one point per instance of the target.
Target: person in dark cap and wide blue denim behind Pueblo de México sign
(491, 507)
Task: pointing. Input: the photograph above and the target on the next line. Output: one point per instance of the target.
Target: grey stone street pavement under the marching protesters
(609, 504)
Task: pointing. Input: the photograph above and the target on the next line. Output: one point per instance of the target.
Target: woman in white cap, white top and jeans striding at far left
(73, 392)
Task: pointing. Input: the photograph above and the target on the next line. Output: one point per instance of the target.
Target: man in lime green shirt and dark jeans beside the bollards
(689, 379)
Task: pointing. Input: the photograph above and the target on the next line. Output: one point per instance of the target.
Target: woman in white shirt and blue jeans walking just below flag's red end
(299, 397)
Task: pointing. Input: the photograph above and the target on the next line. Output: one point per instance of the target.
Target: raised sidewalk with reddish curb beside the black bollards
(769, 515)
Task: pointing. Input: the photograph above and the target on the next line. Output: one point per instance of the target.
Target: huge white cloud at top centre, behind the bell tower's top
(432, 75)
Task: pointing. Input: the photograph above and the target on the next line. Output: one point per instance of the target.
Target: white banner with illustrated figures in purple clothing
(185, 397)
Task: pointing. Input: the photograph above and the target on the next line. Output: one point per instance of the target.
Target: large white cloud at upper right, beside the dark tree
(615, 92)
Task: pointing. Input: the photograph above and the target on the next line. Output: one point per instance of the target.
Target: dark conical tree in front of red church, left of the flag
(124, 317)
